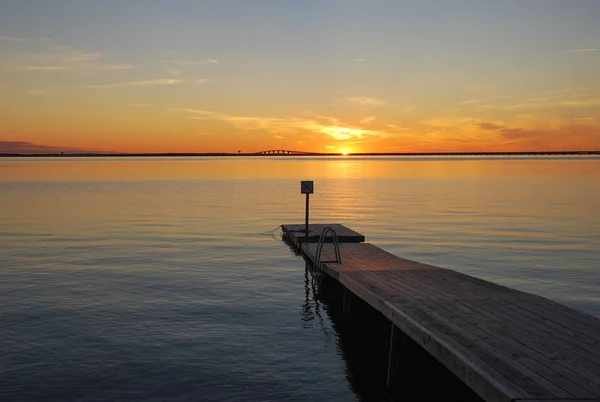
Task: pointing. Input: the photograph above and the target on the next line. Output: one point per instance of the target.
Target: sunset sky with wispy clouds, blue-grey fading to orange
(316, 76)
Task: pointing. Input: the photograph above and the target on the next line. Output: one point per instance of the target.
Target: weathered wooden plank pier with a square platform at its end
(504, 344)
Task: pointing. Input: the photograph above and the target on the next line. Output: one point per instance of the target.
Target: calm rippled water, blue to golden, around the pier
(149, 279)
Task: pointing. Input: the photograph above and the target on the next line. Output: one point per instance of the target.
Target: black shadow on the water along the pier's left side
(363, 335)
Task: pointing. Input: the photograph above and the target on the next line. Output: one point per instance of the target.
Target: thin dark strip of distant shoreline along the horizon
(297, 153)
